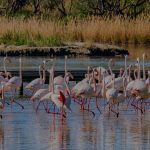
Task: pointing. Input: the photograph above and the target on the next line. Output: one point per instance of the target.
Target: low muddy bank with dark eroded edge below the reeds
(72, 50)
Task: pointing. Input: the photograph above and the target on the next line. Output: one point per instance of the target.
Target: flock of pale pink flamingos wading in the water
(99, 83)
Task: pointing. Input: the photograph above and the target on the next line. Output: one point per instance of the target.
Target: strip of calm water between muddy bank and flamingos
(31, 63)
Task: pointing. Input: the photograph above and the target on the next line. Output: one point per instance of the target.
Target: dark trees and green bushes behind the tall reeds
(55, 9)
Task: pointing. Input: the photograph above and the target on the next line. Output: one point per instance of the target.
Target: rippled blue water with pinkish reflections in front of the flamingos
(26, 129)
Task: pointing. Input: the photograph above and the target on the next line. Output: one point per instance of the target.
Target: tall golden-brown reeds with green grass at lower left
(33, 32)
